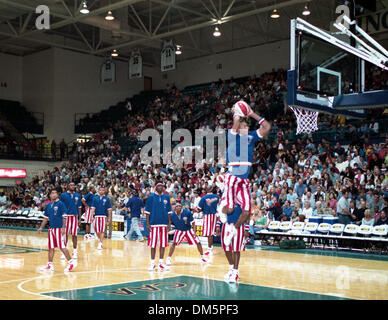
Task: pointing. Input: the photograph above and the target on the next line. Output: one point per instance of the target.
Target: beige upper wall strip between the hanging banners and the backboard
(239, 63)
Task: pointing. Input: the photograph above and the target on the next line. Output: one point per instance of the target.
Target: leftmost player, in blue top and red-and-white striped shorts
(55, 213)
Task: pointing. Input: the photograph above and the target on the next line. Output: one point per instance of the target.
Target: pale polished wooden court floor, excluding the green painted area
(22, 253)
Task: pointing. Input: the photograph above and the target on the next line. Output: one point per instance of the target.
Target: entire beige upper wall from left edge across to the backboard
(60, 82)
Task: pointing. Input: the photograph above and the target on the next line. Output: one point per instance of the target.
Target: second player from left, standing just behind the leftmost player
(72, 201)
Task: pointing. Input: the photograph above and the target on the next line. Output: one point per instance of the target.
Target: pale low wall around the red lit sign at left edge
(33, 168)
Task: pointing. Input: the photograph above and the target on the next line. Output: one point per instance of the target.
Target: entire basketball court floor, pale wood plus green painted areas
(118, 272)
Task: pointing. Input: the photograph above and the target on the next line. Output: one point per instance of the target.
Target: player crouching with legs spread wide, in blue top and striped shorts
(183, 222)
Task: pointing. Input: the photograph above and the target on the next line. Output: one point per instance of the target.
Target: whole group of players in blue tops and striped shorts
(232, 212)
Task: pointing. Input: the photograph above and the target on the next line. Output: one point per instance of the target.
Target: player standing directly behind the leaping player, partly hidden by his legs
(236, 245)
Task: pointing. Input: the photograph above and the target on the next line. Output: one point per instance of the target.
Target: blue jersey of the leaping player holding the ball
(239, 155)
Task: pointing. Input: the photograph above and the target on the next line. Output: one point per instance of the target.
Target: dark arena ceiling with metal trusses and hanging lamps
(144, 24)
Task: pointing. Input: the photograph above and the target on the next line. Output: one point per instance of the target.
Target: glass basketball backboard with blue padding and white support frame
(327, 73)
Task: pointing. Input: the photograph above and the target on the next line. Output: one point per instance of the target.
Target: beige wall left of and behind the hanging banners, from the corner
(61, 83)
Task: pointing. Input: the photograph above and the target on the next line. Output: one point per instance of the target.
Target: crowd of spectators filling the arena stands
(290, 180)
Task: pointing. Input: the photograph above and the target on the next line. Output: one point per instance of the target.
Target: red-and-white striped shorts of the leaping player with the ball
(236, 191)
